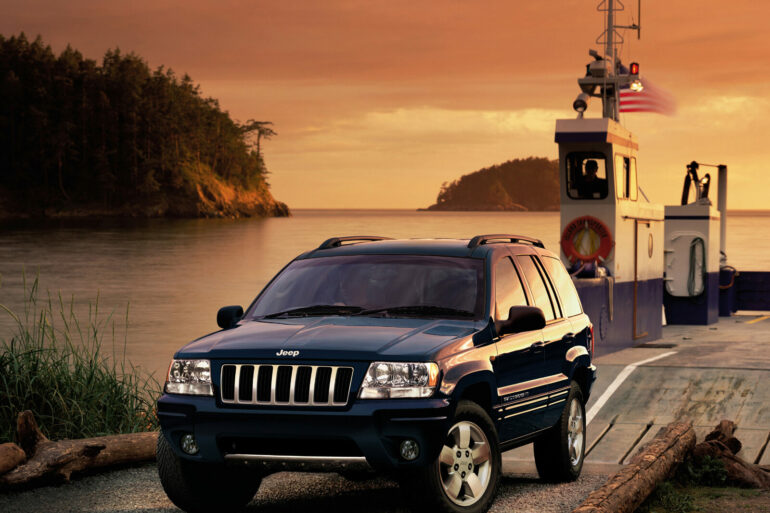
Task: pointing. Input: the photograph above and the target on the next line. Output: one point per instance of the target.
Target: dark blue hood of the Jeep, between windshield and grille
(330, 338)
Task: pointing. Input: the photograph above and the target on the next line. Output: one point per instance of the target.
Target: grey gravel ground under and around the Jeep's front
(138, 490)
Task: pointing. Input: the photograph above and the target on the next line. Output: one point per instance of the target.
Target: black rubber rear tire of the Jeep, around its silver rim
(553, 459)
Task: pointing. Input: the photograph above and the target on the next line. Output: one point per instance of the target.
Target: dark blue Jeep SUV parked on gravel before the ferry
(424, 359)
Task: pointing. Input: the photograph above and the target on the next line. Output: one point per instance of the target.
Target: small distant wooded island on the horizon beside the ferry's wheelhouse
(516, 185)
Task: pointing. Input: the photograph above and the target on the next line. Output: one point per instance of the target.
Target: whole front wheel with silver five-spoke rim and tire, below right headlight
(465, 476)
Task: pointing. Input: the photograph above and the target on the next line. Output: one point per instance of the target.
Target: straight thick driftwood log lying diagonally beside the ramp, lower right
(654, 462)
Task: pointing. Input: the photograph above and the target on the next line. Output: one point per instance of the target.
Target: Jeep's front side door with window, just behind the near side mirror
(520, 361)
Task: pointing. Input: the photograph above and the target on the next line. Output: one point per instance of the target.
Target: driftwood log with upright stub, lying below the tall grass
(47, 460)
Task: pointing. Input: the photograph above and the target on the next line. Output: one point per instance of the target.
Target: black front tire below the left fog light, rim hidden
(201, 487)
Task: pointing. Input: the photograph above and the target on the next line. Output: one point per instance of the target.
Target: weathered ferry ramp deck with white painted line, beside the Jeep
(701, 373)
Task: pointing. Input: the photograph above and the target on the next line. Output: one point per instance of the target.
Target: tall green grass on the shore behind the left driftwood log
(52, 363)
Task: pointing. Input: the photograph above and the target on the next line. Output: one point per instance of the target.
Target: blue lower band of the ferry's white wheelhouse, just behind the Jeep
(617, 333)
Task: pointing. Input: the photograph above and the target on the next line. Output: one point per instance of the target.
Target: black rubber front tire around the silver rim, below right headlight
(424, 488)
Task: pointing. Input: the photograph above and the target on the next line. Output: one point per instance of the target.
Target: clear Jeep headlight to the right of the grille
(389, 380)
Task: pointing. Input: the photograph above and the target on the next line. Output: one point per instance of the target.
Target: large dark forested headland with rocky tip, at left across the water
(83, 139)
